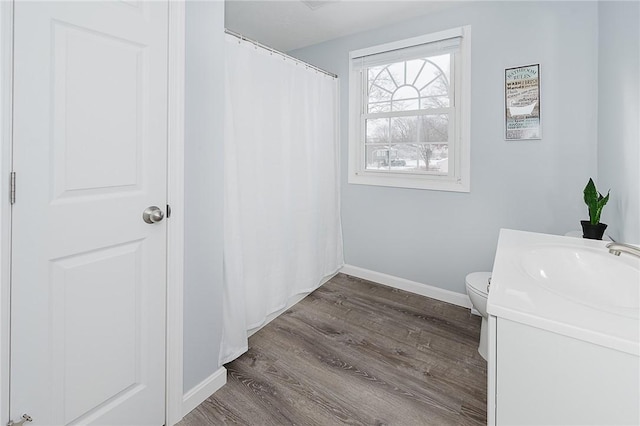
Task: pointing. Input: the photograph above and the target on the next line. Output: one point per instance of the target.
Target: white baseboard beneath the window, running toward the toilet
(437, 293)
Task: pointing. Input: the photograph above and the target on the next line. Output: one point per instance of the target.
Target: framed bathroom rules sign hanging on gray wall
(522, 102)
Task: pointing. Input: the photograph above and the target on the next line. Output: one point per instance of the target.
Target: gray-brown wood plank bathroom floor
(354, 352)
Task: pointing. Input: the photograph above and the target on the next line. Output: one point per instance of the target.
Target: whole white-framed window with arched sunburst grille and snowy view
(409, 113)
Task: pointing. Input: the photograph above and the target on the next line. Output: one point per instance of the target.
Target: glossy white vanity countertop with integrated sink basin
(569, 286)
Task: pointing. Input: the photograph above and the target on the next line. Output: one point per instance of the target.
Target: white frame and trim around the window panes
(459, 180)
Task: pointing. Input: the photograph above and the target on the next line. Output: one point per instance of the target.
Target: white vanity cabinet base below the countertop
(543, 378)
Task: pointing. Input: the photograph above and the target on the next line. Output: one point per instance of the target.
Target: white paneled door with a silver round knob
(90, 155)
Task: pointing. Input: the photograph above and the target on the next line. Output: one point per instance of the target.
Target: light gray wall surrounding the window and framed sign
(436, 238)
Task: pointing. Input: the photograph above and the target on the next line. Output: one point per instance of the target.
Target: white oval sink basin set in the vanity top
(593, 277)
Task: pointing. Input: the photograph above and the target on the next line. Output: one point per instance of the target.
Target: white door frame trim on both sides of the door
(175, 198)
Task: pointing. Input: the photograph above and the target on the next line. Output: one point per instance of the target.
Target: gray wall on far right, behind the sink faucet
(619, 117)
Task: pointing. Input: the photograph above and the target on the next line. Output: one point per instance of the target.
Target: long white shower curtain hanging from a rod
(282, 214)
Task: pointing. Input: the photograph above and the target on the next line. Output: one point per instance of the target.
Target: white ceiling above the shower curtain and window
(292, 24)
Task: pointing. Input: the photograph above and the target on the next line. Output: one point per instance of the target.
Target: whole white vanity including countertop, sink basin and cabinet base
(564, 333)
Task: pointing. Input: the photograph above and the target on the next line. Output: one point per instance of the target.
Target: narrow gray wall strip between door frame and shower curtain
(203, 189)
